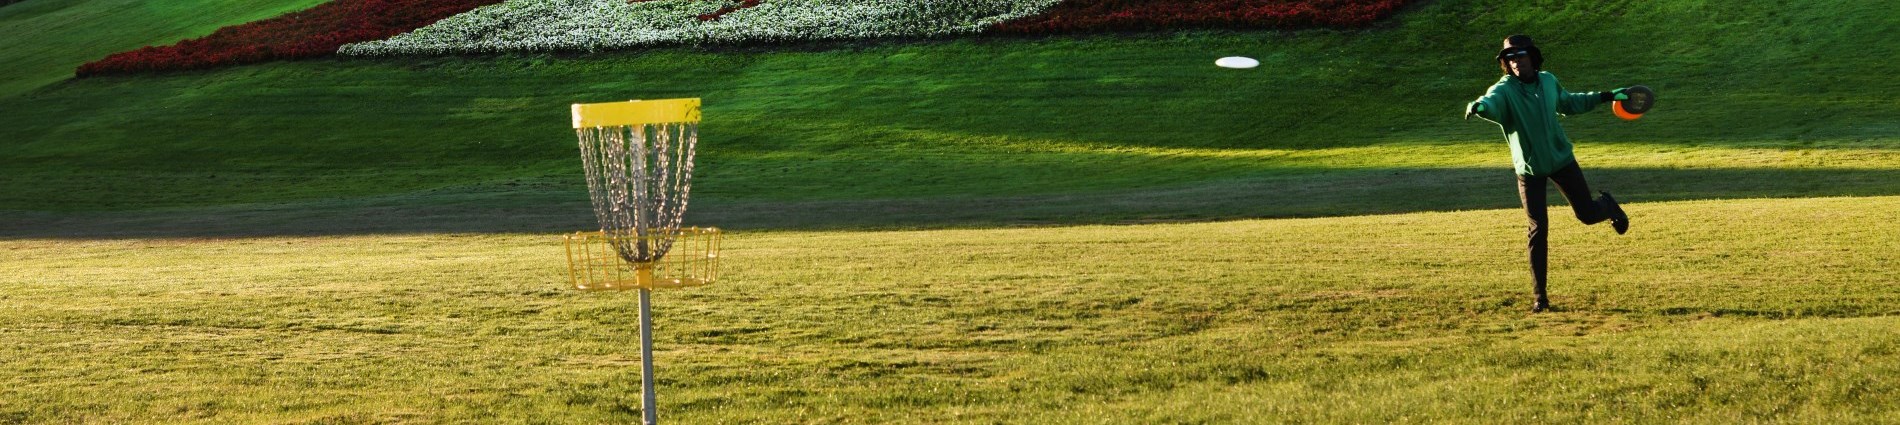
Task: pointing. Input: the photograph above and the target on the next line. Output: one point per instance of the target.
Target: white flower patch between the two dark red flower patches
(590, 26)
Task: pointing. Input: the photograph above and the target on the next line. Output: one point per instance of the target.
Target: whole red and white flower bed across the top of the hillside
(453, 28)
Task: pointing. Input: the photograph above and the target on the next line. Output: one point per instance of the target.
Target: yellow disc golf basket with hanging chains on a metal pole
(639, 160)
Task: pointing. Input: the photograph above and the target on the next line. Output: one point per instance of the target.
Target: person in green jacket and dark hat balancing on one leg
(1527, 103)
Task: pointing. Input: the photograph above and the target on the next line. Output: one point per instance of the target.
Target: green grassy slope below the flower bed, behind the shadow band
(997, 119)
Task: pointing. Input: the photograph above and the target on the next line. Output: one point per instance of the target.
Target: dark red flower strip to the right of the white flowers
(1086, 16)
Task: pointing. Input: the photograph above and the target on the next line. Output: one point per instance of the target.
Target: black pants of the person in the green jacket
(1578, 193)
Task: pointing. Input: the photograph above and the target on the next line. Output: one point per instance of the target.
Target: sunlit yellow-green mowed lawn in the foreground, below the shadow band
(1709, 312)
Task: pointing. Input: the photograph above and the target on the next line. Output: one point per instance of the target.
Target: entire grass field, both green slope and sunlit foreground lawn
(989, 231)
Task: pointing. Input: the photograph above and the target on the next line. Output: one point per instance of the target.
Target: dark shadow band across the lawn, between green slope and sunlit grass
(1333, 193)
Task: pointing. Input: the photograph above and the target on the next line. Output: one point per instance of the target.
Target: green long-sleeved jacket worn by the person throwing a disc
(1529, 115)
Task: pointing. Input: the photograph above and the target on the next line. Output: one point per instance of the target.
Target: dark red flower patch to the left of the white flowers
(311, 33)
